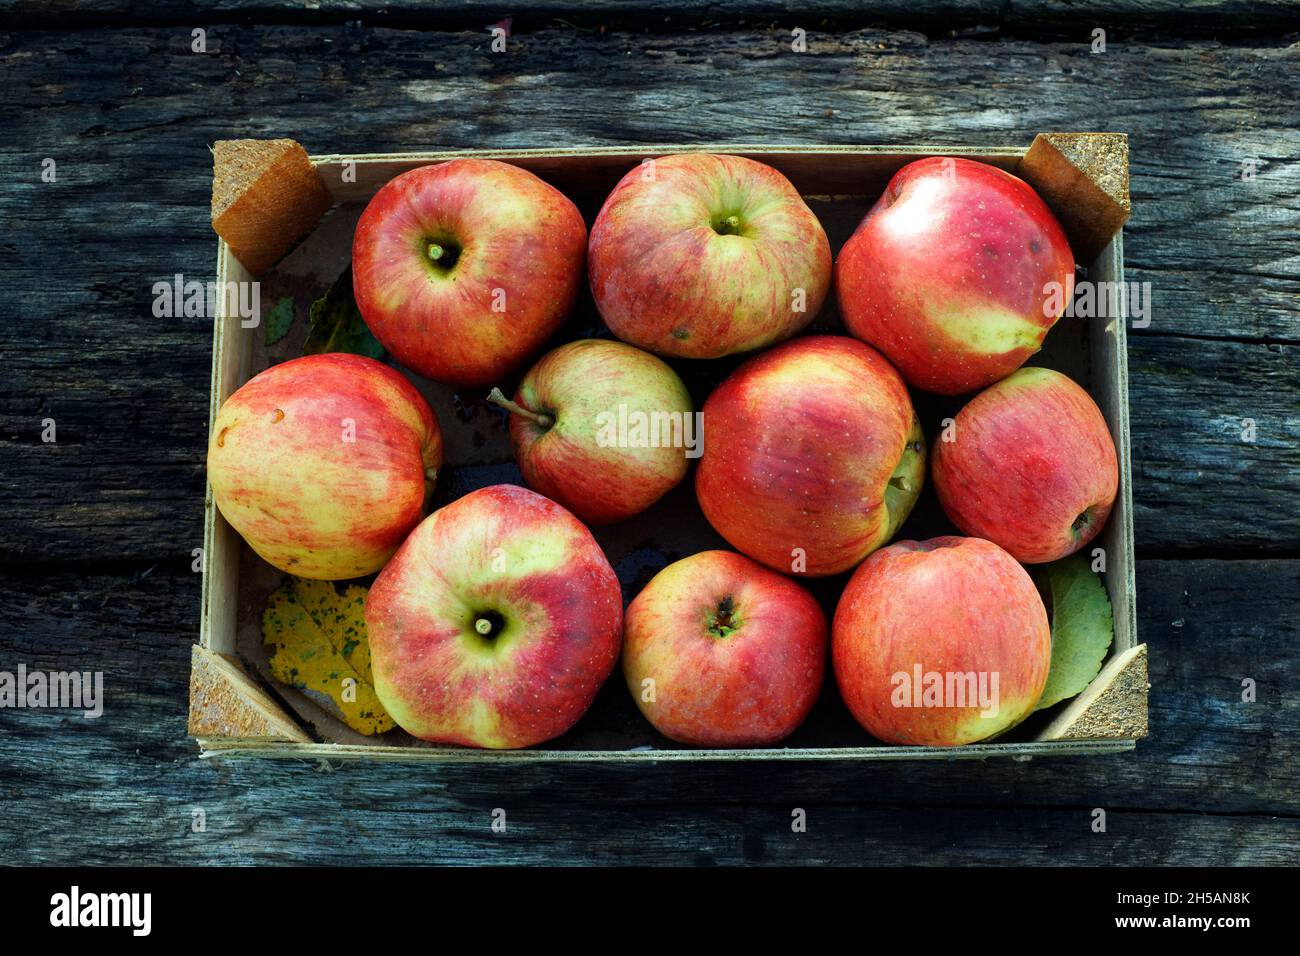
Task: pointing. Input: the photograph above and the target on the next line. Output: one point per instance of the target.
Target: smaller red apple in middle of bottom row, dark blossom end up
(722, 652)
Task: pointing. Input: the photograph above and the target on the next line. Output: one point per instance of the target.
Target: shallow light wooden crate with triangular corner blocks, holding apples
(1084, 178)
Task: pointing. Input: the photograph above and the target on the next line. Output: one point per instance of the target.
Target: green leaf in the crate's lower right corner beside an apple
(1082, 628)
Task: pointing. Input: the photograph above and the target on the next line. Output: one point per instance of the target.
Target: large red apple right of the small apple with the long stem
(813, 456)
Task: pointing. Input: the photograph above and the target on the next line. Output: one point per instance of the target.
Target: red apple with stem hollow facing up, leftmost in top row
(463, 270)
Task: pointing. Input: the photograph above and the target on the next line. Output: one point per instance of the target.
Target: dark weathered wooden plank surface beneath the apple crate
(98, 527)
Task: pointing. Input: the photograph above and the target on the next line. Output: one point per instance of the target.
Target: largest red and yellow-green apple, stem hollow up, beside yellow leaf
(496, 624)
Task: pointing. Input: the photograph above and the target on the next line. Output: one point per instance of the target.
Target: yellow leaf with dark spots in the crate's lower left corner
(317, 639)
